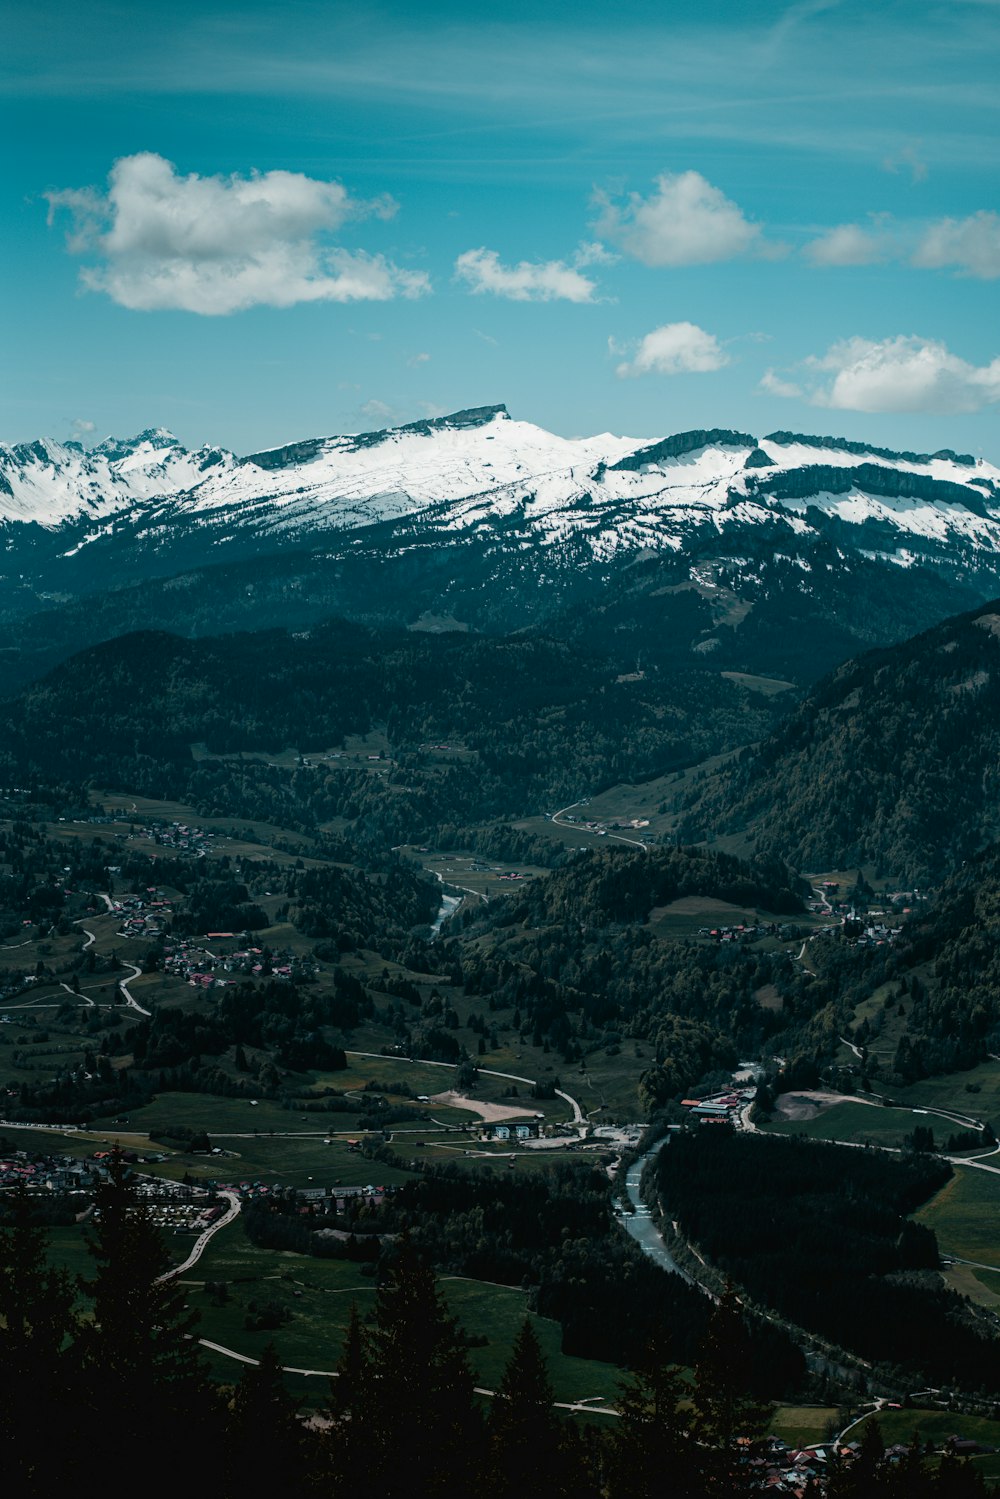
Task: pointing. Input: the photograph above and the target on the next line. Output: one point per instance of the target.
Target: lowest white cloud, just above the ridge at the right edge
(906, 374)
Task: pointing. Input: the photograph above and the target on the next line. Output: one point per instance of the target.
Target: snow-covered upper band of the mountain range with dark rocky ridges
(479, 470)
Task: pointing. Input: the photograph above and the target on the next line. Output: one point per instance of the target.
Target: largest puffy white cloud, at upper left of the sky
(218, 245)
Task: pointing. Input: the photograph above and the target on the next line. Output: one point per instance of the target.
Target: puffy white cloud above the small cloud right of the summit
(684, 223)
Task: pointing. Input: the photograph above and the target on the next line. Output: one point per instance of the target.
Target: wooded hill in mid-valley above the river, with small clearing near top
(587, 974)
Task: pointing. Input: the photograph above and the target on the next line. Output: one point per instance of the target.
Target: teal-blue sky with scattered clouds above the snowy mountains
(254, 224)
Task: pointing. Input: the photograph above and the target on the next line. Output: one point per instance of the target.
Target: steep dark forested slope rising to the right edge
(891, 761)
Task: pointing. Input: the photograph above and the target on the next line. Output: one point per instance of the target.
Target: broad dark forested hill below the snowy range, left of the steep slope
(534, 722)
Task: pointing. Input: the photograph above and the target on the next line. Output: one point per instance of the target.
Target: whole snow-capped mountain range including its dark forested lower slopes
(780, 554)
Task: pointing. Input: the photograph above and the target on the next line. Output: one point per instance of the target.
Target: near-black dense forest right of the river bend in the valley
(821, 1234)
